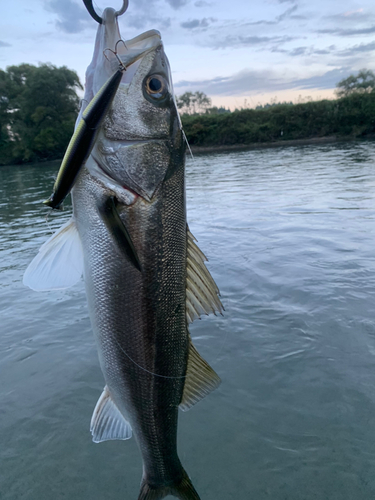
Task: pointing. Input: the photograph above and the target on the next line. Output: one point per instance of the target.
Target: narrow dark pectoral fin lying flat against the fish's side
(118, 230)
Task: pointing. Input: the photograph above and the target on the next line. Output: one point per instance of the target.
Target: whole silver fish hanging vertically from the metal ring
(145, 276)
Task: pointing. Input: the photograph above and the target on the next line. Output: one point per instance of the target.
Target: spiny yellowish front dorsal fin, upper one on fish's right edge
(201, 290)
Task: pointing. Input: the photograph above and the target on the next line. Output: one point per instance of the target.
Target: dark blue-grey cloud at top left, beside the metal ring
(72, 18)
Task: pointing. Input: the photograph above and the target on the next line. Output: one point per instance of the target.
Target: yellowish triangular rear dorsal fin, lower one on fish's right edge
(200, 380)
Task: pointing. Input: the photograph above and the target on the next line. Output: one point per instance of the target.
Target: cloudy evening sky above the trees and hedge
(239, 52)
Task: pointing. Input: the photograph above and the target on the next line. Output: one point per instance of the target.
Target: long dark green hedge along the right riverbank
(349, 116)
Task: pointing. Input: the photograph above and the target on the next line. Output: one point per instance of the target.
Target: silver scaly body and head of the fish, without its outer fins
(139, 316)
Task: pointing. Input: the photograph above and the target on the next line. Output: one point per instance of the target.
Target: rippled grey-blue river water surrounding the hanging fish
(289, 233)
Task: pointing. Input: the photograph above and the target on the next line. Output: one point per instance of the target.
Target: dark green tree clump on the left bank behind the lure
(38, 108)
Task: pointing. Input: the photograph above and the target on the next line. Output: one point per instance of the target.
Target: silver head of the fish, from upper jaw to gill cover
(141, 136)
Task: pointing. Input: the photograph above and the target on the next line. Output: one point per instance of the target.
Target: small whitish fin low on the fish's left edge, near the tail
(107, 422)
